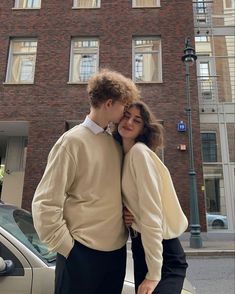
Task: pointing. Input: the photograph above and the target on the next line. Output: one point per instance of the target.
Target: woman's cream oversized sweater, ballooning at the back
(149, 194)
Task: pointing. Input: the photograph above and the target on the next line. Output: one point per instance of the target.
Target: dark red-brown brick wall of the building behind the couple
(50, 101)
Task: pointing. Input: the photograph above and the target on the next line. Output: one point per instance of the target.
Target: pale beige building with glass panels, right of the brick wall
(215, 49)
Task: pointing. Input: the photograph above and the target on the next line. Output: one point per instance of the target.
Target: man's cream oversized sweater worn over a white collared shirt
(79, 195)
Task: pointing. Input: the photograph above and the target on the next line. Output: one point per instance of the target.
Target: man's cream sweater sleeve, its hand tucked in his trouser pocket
(47, 205)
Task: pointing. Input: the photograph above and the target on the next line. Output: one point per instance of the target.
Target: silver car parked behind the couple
(26, 265)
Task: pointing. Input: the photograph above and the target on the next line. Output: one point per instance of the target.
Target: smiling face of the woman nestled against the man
(132, 124)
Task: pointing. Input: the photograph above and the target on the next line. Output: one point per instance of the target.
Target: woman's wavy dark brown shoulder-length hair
(153, 132)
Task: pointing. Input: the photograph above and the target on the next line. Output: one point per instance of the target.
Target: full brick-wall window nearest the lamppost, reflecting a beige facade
(147, 65)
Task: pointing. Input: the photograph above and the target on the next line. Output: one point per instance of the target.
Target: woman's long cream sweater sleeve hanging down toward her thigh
(150, 210)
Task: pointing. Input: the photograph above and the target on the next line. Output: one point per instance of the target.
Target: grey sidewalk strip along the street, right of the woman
(214, 244)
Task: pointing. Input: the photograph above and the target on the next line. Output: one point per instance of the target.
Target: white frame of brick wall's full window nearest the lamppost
(134, 63)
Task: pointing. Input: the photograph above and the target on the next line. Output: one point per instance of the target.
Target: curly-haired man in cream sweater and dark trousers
(77, 207)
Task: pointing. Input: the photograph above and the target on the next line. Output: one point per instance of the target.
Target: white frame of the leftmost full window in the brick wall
(10, 62)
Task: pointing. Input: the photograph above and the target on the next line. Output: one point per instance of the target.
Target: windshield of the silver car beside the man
(19, 223)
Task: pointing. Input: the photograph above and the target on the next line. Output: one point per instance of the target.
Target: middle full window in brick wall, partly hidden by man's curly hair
(84, 59)
